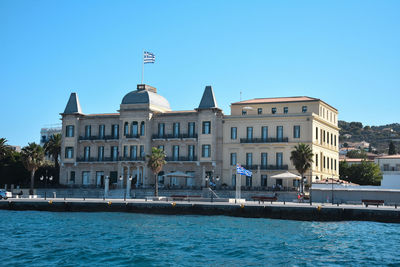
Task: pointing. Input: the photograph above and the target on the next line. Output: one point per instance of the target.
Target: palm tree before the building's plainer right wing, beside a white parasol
(302, 157)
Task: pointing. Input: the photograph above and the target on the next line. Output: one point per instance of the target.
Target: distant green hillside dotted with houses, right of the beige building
(378, 136)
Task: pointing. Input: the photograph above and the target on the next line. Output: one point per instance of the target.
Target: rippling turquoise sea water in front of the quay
(31, 238)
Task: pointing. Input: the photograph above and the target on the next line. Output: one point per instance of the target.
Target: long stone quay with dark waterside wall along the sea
(251, 209)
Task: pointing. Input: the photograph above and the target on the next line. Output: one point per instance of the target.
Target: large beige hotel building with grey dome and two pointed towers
(259, 134)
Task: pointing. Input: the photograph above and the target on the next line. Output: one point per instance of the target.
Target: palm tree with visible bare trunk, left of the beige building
(33, 158)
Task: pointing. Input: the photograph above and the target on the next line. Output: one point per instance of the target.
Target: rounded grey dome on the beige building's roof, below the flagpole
(145, 97)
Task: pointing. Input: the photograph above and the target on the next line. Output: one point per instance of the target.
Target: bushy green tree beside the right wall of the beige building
(366, 173)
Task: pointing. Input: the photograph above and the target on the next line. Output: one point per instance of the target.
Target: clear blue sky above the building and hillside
(344, 52)
